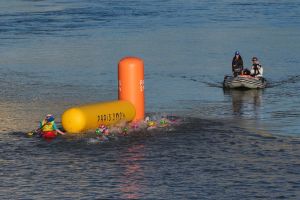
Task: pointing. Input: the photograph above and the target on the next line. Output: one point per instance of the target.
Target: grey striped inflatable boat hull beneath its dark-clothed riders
(244, 82)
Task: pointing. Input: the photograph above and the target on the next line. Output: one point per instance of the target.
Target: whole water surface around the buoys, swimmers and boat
(231, 144)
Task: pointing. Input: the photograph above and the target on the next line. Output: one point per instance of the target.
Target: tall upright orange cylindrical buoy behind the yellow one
(131, 84)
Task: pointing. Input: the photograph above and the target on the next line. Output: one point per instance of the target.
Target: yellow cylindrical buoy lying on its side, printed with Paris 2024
(91, 116)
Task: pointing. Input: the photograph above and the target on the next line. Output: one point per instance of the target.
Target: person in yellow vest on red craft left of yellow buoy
(48, 127)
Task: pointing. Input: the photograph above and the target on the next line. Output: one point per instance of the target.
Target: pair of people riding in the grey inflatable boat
(238, 66)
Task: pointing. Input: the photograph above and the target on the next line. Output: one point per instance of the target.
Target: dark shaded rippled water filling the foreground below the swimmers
(197, 152)
